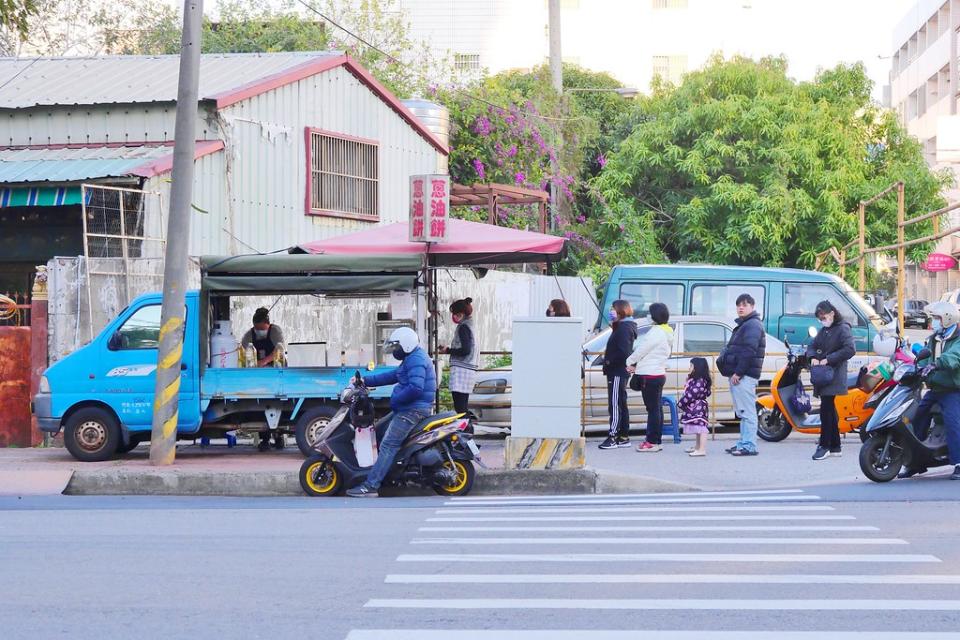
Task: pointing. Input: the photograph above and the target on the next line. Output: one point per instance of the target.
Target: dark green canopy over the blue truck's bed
(300, 273)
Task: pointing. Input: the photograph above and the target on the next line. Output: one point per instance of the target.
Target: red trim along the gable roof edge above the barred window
(320, 65)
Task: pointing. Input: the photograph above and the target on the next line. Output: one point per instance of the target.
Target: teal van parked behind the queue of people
(785, 298)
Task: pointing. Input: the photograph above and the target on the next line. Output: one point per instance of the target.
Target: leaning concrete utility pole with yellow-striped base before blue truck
(163, 438)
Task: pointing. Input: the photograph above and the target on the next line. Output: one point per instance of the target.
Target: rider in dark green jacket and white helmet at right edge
(944, 382)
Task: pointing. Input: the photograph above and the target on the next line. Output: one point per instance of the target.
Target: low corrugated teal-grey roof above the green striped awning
(72, 164)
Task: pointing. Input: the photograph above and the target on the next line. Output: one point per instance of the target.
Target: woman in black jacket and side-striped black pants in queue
(619, 346)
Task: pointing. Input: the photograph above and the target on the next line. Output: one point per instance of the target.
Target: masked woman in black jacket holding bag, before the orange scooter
(832, 346)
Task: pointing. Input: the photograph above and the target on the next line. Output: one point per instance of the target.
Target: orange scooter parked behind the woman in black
(778, 414)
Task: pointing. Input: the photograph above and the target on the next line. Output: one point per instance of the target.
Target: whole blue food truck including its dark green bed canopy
(102, 395)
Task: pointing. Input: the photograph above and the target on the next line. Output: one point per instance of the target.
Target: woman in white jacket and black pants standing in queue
(649, 363)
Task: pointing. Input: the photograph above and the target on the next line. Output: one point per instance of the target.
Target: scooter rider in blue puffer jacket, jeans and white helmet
(411, 401)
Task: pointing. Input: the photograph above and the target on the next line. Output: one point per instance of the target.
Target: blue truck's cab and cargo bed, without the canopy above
(102, 394)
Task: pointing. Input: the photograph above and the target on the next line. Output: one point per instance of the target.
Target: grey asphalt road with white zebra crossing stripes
(816, 561)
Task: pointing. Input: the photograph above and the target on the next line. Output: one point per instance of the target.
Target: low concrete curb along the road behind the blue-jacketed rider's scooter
(180, 482)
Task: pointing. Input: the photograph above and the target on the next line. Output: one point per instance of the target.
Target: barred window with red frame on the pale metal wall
(344, 176)
